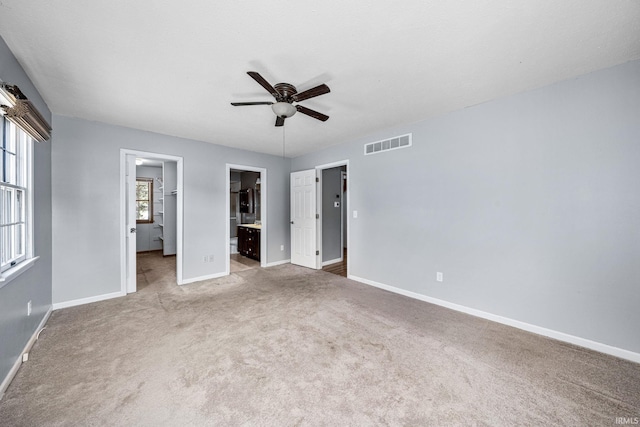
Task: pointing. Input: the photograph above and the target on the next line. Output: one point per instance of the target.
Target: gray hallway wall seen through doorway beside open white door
(331, 221)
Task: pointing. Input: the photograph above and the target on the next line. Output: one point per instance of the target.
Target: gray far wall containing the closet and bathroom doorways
(86, 163)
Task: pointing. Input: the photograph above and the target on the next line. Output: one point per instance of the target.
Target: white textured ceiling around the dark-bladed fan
(173, 67)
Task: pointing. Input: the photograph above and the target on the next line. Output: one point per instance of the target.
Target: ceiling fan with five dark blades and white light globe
(285, 94)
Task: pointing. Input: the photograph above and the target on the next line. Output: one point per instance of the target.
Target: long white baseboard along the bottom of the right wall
(561, 336)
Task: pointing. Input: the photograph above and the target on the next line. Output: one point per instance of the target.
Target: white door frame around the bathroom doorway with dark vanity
(263, 213)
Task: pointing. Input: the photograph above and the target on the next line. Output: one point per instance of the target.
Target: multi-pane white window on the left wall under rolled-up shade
(15, 196)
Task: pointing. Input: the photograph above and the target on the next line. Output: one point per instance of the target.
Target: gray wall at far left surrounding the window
(15, 327)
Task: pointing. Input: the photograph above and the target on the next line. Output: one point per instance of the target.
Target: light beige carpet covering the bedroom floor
(288, 346)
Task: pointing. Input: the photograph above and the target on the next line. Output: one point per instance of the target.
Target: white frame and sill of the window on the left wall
(25, 184)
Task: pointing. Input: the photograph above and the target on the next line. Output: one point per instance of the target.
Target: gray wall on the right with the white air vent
(529, 205)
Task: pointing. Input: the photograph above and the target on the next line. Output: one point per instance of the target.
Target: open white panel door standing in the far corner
(303, 218)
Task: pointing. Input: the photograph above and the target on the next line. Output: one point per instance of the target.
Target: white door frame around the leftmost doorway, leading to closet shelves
(123, 213)
